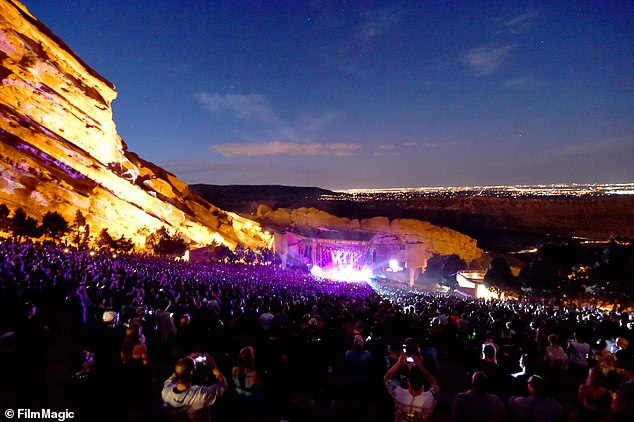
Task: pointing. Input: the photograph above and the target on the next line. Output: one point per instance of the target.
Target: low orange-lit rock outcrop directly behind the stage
(435, 239)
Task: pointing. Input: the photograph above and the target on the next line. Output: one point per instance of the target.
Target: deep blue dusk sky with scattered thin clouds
(343, 94)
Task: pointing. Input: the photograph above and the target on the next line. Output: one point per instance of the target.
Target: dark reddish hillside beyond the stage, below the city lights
(497, 223)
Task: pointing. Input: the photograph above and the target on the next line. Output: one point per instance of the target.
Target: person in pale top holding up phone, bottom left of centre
(185, 401)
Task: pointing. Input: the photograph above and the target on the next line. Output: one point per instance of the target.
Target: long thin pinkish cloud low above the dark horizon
(285, 148)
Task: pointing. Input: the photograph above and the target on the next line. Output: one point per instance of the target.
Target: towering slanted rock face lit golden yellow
(60, 151)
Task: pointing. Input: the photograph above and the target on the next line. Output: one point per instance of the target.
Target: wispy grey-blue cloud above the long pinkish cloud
(244, 107)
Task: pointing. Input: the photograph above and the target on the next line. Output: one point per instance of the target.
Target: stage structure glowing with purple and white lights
(351, 255)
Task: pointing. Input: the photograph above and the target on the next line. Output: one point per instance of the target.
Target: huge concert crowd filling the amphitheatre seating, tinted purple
(133, 337)
